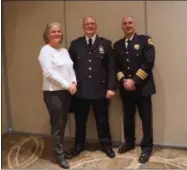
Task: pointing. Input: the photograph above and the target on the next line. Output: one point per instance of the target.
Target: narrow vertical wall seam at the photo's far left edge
(5, 76)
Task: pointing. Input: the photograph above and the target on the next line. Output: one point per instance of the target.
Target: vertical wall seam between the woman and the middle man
(65, 44)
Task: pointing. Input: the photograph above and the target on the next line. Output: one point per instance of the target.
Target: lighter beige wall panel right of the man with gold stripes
(167, 24)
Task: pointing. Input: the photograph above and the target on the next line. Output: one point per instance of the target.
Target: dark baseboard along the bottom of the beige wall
(116, 143)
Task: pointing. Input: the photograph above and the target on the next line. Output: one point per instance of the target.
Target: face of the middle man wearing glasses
(89, 26)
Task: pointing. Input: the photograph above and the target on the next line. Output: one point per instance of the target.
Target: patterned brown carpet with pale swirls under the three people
(21, 152)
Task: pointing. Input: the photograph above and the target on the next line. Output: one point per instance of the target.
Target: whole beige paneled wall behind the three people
(24, 23)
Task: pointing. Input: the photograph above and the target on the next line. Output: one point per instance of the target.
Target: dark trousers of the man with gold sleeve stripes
(131, 100)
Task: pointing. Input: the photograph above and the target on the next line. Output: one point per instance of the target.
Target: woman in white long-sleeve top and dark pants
(59, 83)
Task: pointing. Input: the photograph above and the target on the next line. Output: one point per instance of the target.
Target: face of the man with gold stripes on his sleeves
(128, 25)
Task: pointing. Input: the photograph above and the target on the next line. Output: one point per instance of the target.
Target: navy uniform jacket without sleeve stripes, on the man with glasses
(94, 67)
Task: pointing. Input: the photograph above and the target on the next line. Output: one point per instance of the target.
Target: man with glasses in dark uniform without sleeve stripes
(94, 66)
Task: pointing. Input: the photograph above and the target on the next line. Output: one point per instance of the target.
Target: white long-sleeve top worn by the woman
(57, 68)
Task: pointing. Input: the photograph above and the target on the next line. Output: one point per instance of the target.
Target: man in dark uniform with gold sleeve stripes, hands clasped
(135, 56)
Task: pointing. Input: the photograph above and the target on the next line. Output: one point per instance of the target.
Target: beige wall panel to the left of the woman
(24, 25)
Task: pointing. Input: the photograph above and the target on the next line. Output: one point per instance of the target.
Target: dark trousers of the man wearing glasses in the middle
(100, 109)
